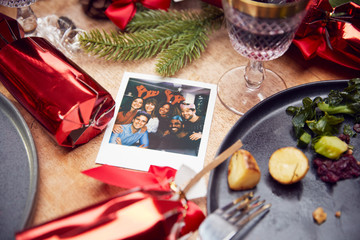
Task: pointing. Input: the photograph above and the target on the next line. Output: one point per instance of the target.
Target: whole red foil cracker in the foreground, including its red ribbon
(150, 209)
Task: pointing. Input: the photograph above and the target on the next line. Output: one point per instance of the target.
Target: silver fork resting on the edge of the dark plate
(225, 222)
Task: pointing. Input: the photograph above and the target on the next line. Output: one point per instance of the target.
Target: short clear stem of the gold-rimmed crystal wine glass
(254, 74)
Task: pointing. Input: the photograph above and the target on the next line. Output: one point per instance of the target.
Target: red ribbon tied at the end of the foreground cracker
(157, 178)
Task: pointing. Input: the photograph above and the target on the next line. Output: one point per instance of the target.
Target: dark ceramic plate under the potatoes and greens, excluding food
(263, 130)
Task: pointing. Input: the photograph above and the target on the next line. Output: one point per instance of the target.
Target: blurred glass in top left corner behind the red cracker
(25, 15)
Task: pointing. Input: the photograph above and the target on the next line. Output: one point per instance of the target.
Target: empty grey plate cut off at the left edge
(18, 171)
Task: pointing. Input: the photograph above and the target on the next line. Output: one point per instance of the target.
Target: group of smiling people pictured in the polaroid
(147, 123)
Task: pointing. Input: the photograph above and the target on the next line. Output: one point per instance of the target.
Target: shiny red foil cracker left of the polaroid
(69, 103)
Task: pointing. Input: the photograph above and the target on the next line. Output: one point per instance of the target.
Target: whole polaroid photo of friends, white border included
(159, 121)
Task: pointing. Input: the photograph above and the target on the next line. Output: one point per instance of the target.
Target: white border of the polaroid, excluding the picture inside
(139, 158)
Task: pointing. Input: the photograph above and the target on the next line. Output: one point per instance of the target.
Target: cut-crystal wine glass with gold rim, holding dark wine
(260, 30)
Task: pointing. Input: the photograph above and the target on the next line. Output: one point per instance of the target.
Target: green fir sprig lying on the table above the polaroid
(177, 37)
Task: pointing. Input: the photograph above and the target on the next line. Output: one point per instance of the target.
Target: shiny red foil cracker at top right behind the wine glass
(331, 33)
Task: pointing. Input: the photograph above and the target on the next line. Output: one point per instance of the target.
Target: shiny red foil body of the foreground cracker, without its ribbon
(133, 215)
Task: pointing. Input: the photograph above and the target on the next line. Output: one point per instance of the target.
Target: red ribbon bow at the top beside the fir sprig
(120, 12)
